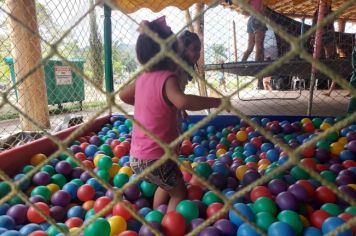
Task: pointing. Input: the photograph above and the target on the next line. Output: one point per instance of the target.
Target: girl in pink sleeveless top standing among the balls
(156, 96)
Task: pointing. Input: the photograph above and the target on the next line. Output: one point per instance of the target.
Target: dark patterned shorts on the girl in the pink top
(166, 176)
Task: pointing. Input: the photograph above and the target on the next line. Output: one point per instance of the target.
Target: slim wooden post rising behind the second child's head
(200, 31)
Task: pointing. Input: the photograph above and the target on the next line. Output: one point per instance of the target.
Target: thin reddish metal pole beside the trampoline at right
(316, 54)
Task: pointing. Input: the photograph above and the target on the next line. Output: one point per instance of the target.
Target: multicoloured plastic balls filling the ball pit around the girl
(229, 157)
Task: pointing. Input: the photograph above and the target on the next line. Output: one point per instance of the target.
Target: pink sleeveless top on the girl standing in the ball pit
(153, 112)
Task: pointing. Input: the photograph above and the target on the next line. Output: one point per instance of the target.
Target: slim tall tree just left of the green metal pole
(96, 49)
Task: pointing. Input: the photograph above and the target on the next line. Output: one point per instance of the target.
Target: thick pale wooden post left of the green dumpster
(27, 54)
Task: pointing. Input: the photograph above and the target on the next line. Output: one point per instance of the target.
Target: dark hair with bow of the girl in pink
(146, 48)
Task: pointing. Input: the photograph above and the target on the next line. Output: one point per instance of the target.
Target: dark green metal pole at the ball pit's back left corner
(109, 83)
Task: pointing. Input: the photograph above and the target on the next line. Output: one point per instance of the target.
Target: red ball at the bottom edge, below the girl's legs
(173, 223)
